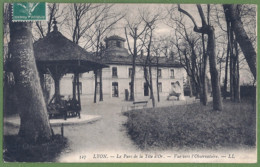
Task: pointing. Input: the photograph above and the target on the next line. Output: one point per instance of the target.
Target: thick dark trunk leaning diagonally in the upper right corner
(245, 44)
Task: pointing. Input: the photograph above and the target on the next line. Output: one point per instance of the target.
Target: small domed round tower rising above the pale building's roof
(115, 46)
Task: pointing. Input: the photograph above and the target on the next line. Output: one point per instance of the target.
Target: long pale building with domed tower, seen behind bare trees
(117, 78)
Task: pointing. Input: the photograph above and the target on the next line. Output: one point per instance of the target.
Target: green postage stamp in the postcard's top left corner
(25, 11)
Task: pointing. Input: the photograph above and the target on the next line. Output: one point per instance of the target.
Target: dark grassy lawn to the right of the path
(193, 126)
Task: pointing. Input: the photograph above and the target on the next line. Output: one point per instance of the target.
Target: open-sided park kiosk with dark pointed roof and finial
(56, 55)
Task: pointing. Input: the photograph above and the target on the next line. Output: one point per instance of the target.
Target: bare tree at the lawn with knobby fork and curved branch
(209, 30)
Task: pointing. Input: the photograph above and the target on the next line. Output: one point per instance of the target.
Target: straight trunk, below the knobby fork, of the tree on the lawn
(217, 102)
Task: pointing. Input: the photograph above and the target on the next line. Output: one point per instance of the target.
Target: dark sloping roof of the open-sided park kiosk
(55, 48)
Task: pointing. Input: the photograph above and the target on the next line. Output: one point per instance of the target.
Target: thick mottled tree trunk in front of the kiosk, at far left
(34, 125)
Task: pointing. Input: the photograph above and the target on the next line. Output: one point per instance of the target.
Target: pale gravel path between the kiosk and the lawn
(105, 135)
